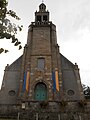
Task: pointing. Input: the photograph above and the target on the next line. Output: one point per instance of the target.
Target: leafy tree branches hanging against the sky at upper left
(8, 29)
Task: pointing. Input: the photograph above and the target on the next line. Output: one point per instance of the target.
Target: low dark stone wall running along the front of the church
(64, 110)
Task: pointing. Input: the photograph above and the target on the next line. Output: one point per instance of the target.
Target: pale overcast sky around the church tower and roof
(72, 20)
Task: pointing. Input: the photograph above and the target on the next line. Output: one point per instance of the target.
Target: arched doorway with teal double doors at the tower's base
(40, 92)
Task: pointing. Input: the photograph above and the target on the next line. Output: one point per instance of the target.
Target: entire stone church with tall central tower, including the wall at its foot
(42, 84)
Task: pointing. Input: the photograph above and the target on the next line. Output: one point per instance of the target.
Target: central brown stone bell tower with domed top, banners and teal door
(40, 74)
